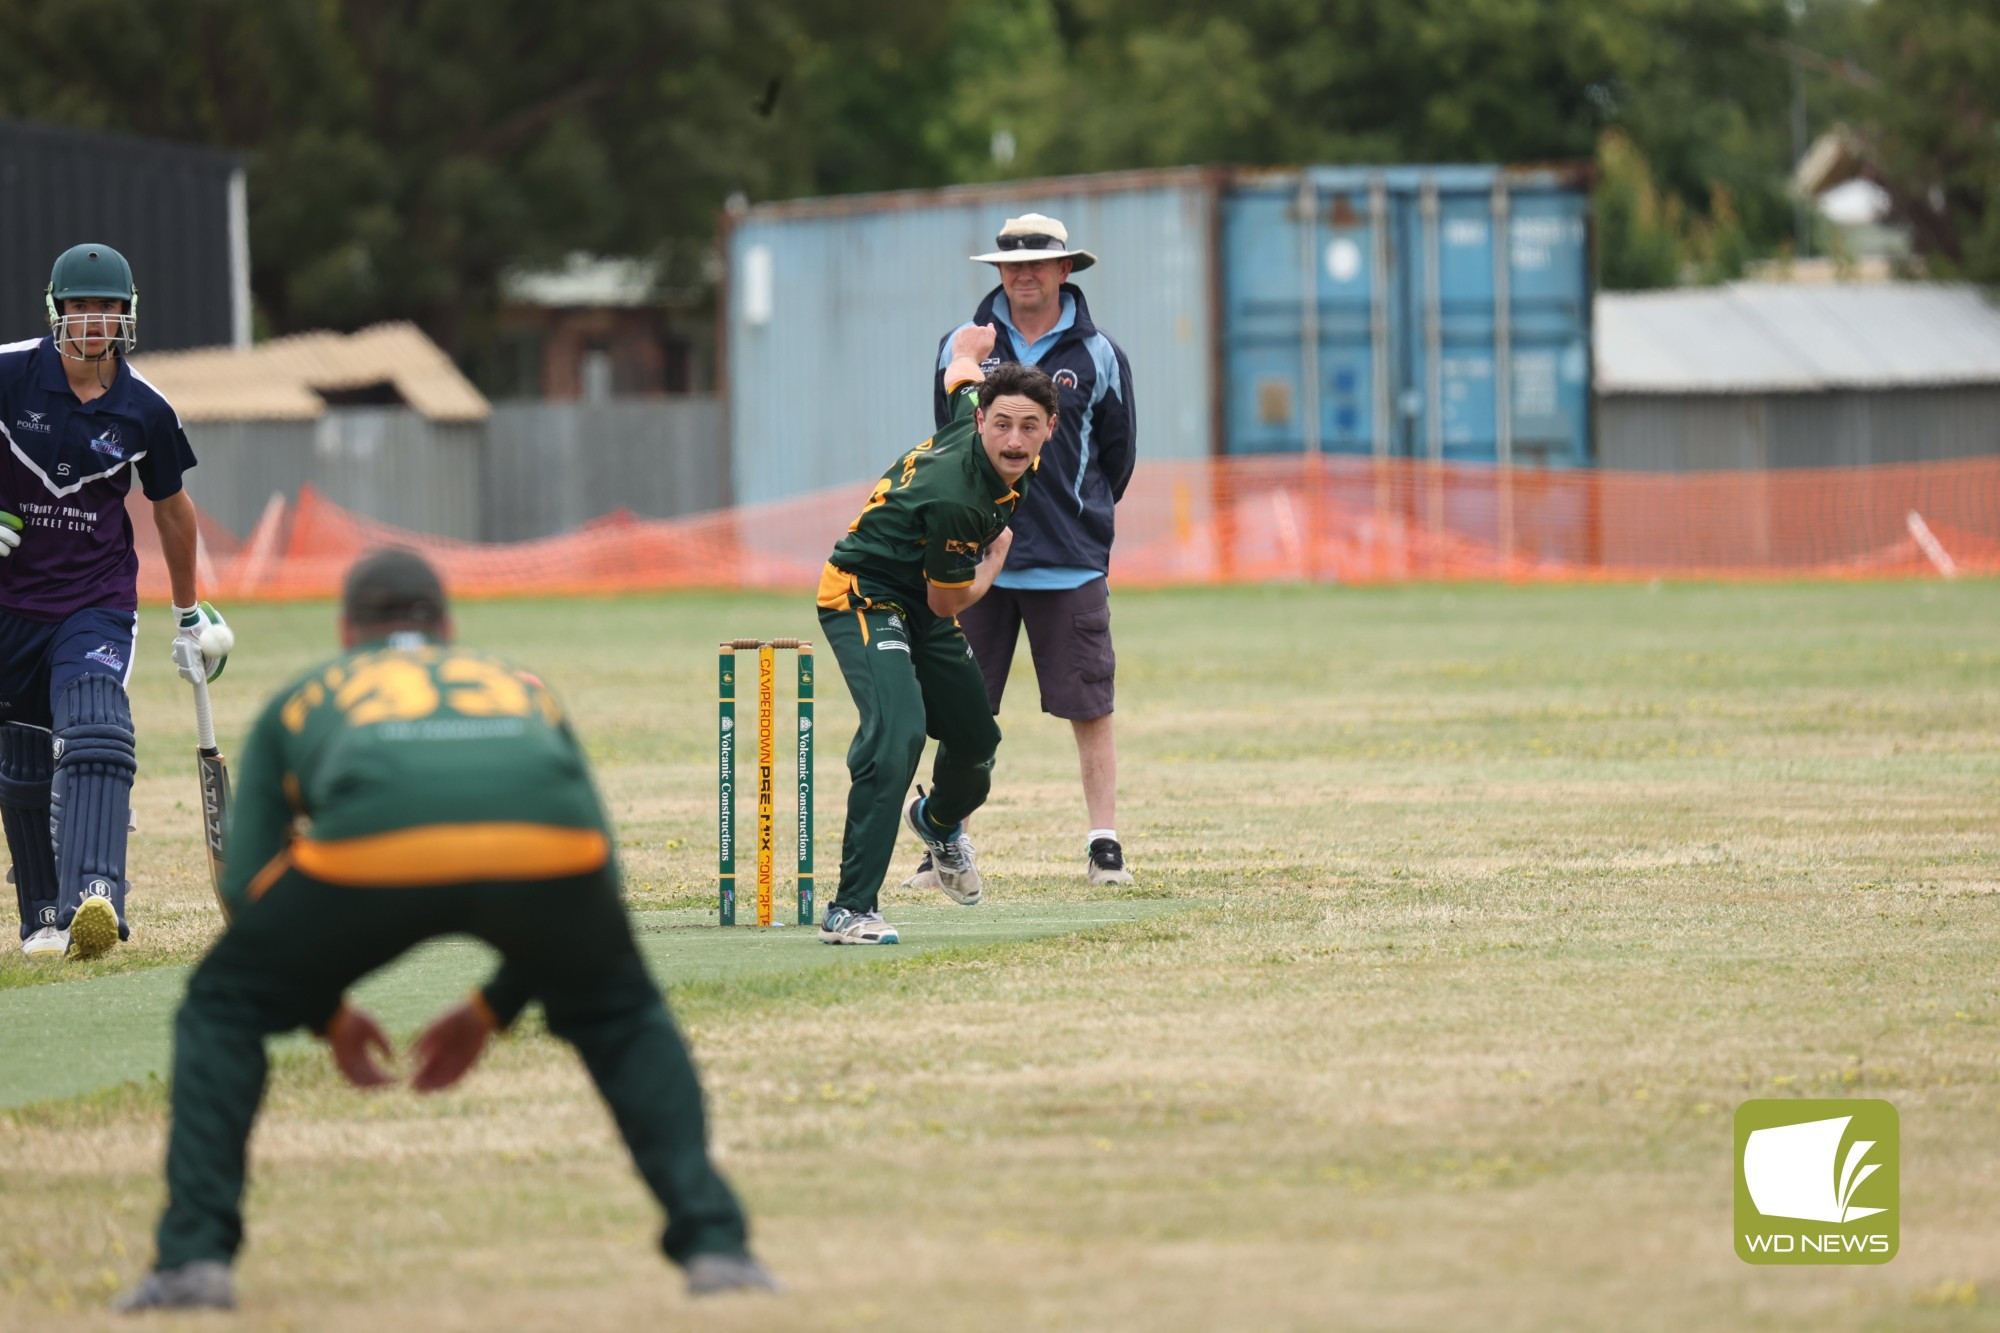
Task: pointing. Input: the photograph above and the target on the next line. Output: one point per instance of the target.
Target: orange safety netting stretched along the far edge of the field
(1233, 521)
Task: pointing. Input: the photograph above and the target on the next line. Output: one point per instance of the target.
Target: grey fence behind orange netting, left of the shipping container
(533, 469)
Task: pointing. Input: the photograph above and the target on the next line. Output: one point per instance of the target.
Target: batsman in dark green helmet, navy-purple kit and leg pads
(79, 425)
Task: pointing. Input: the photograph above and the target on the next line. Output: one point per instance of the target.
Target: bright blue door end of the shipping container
(1371, 311)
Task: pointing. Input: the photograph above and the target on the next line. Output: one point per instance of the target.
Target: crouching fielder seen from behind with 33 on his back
(437, 792)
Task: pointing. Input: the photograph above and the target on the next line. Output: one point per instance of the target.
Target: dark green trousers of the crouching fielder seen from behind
(287, 960)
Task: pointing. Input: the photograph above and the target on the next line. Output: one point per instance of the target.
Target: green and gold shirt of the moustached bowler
(929, 521)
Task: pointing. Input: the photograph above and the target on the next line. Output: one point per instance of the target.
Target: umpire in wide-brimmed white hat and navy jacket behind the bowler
(1063, 535)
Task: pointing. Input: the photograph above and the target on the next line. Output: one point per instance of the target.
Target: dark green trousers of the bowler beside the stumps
(911, 678)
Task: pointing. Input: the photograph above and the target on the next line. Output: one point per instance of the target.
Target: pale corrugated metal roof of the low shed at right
(1779, 337)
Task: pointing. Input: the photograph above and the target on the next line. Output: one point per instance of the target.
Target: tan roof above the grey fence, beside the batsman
(283, 379)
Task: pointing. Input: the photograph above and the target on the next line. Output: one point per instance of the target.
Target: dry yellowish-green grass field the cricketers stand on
(1465, 922)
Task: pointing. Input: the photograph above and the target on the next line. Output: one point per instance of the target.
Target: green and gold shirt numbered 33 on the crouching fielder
(413, 764)
